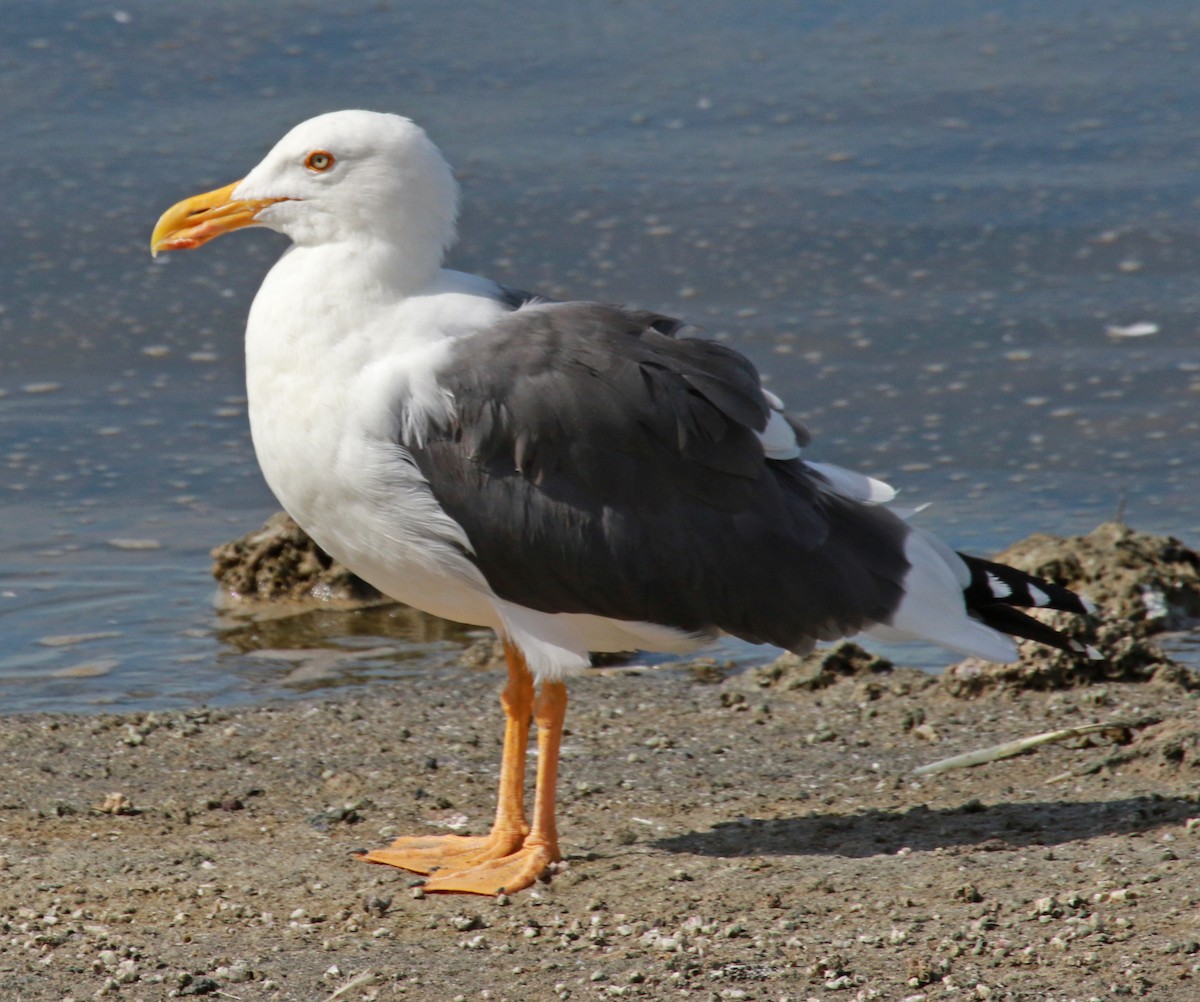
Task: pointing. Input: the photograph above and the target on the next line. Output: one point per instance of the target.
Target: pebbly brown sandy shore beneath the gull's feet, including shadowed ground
(758, 837)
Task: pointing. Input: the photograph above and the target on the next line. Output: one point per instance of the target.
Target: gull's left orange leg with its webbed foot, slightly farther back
(427, 854)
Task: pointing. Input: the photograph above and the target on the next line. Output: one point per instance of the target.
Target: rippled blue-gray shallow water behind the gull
(935, 227)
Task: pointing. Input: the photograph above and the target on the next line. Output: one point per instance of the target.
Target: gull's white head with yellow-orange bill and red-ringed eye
(361, 176)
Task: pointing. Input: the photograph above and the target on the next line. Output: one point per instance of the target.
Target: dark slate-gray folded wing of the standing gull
(598, 464)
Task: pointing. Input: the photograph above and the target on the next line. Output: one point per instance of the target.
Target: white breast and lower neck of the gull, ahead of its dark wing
(335, 385)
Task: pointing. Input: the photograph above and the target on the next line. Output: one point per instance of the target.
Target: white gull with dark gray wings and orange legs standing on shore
(579, 477)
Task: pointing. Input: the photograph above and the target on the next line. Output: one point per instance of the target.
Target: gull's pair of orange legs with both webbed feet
(514, 855)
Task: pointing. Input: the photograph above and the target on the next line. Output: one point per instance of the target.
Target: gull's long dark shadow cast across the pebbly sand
(985, 827)
